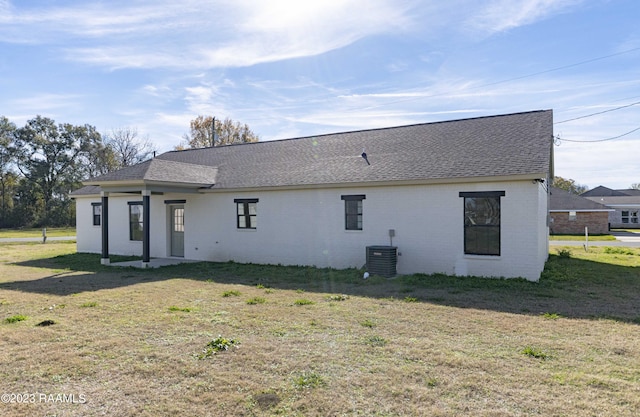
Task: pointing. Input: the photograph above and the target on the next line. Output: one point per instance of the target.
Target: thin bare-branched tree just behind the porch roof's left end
(127, 148)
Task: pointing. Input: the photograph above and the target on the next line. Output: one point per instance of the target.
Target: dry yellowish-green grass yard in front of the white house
(209, 339)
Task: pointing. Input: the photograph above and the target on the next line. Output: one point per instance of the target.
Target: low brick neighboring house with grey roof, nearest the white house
(571, 213)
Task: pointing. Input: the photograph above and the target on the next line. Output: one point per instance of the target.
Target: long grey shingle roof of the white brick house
(506, 145)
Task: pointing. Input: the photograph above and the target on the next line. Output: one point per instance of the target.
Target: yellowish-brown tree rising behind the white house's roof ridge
(227, 132)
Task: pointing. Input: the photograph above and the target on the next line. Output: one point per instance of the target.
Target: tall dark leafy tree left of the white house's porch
(48, 157)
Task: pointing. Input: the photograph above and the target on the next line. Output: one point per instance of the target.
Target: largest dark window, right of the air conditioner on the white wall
(482, 222)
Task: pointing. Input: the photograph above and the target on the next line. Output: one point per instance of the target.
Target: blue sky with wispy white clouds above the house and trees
(292, 68)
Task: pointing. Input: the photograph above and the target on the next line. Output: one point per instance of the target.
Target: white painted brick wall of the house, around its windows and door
(307, 227)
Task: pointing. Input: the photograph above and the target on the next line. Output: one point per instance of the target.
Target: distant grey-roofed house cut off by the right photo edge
(624, 203)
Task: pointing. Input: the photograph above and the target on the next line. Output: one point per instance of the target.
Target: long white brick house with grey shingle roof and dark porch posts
(464, 197)
